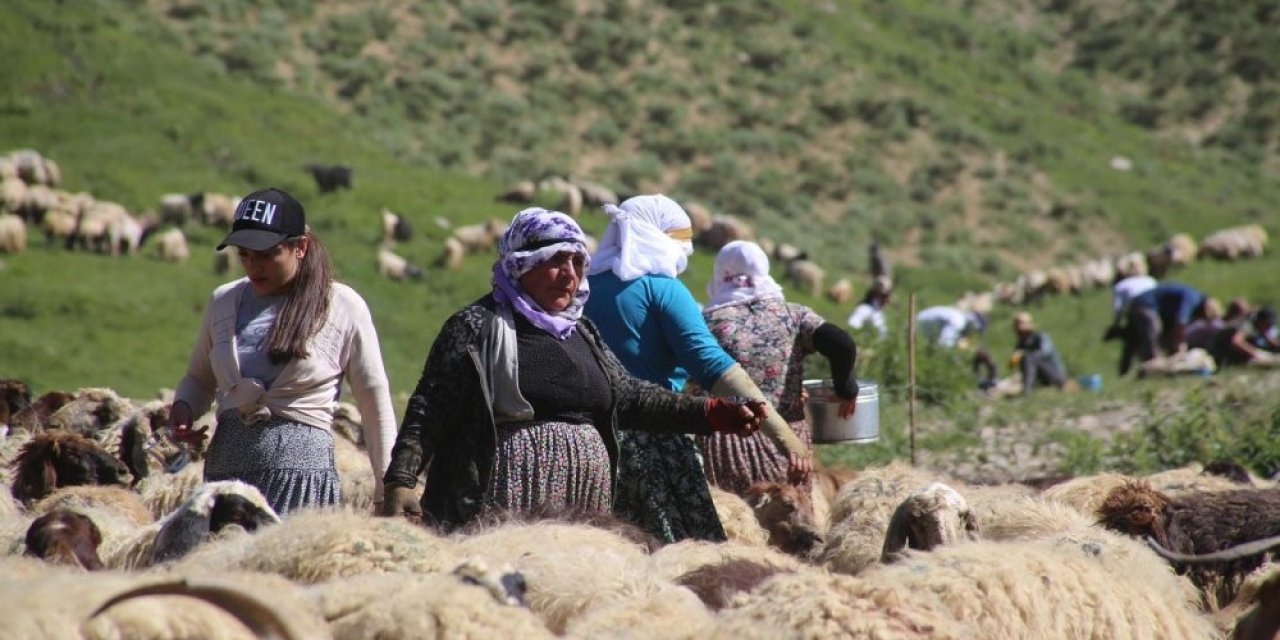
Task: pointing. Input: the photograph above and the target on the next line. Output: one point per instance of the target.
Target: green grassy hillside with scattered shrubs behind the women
(971, 138)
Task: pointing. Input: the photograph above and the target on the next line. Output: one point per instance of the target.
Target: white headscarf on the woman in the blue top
(637, 241)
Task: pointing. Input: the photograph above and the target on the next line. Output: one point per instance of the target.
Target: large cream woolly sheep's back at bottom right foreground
(1091, 586)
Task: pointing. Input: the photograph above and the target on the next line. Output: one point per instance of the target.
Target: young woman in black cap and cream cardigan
(273, 351)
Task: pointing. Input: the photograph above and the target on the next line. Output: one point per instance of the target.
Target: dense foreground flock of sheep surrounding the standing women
(100, 541)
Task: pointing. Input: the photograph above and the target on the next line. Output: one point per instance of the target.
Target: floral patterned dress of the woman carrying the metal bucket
(770, 339)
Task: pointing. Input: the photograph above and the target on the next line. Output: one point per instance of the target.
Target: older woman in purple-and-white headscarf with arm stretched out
(520, 401)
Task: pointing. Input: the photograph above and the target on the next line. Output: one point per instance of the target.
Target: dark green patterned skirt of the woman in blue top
(662, 488)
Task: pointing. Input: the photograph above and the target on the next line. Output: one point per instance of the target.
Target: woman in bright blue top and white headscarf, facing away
(655, 326)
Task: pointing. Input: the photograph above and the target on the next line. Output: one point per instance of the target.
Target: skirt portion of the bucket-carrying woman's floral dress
(735, 463)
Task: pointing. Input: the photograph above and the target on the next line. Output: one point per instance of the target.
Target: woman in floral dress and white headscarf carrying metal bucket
(770, 337)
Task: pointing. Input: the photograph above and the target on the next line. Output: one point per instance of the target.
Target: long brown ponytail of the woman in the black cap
(307, 304)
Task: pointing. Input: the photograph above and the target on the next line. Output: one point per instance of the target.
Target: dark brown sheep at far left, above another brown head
(53, 460)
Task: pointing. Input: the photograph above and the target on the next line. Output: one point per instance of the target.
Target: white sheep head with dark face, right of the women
(931, 518)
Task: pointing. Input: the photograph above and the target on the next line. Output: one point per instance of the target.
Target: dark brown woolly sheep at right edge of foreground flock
(1197, 523)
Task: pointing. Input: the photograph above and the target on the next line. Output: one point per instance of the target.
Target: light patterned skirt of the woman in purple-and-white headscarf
(551, 468)
